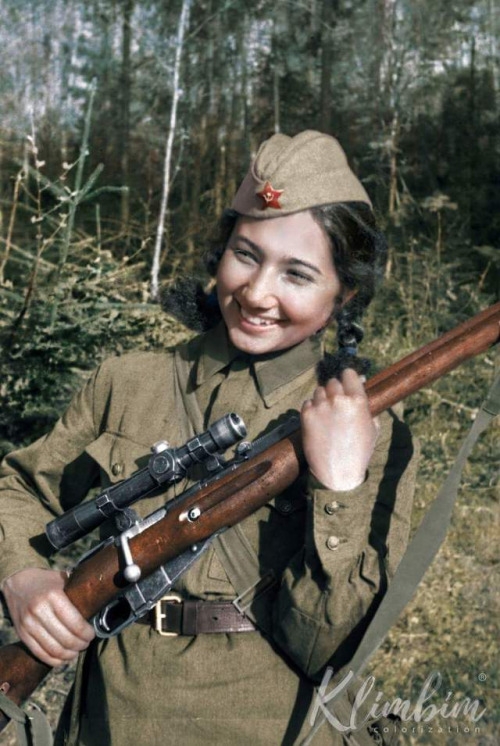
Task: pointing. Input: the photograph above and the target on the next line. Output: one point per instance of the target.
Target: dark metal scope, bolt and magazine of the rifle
(166, 466)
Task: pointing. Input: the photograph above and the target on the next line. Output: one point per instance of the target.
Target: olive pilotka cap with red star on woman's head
(290, 174)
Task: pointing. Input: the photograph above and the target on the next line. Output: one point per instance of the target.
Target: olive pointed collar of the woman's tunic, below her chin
(271, 371)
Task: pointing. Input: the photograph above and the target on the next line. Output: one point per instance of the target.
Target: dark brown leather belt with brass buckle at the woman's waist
(173, 616)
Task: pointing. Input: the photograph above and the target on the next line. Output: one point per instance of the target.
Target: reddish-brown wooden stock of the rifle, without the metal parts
(235, 496)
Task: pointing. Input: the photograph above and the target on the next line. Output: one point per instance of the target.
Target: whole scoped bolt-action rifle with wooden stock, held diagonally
(115, 583)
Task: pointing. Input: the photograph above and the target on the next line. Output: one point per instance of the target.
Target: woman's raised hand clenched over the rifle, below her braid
(338, 432)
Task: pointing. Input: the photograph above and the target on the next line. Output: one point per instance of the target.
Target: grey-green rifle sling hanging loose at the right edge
(420, 553)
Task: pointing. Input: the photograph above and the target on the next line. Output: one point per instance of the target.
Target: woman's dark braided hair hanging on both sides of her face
(359, 254)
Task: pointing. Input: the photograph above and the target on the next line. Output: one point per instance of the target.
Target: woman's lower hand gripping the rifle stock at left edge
(44, 617)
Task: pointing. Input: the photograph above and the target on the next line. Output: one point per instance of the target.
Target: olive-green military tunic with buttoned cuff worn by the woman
(333, 553)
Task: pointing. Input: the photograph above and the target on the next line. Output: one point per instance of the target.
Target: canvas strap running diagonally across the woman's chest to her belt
(234, 551)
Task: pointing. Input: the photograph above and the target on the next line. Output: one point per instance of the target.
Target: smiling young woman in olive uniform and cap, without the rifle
(301, 250)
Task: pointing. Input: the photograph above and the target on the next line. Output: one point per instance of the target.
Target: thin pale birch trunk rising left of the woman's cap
(155, 270)
